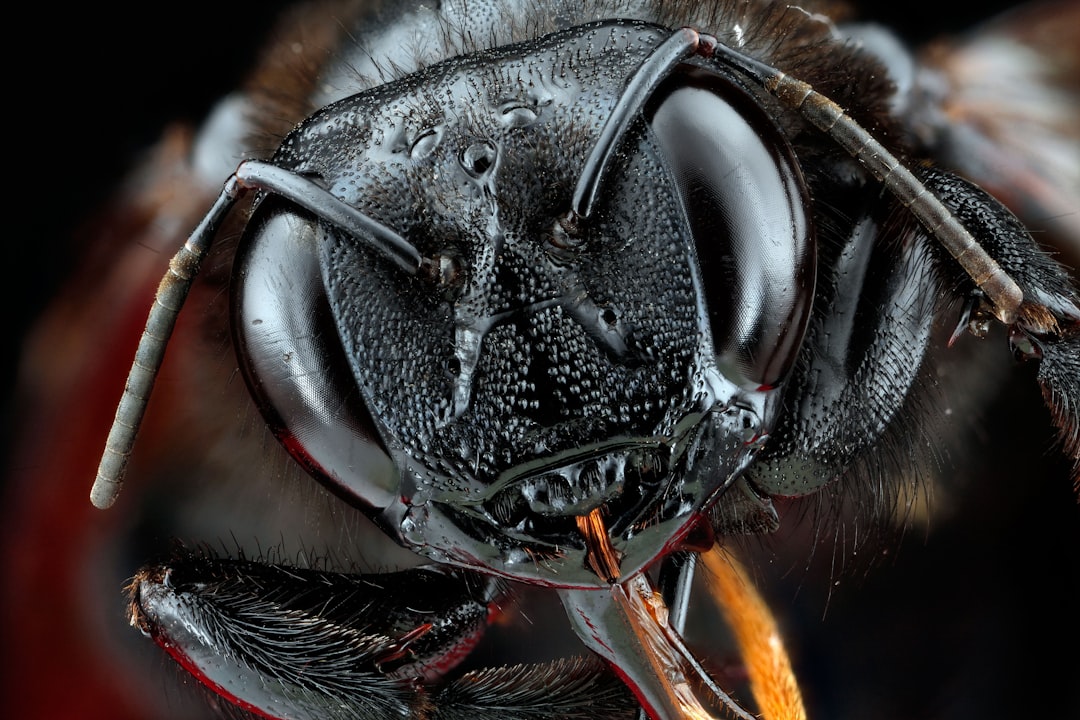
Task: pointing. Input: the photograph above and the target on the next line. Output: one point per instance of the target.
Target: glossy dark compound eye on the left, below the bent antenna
(295, 365)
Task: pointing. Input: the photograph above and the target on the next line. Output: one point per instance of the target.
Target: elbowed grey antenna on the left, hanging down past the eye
(174, 288)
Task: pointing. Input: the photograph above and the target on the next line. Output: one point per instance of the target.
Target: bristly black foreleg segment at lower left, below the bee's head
(300, 643)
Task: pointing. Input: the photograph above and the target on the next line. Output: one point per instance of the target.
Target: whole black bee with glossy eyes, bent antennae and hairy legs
(562, 297)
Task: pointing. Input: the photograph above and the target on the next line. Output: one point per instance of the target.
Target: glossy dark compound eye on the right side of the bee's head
(747, 206)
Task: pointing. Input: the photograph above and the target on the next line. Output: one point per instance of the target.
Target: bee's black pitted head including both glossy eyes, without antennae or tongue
(557, 371)
